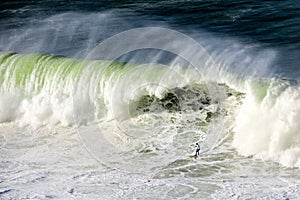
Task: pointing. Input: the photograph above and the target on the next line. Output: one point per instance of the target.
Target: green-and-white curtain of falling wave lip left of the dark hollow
(98, 87)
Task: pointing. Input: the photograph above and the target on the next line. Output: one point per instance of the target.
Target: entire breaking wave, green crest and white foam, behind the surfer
(38, 90)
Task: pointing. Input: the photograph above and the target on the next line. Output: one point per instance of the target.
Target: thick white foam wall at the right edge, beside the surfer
(270, 128)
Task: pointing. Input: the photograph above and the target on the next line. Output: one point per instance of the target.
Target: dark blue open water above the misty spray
(270, 22)
